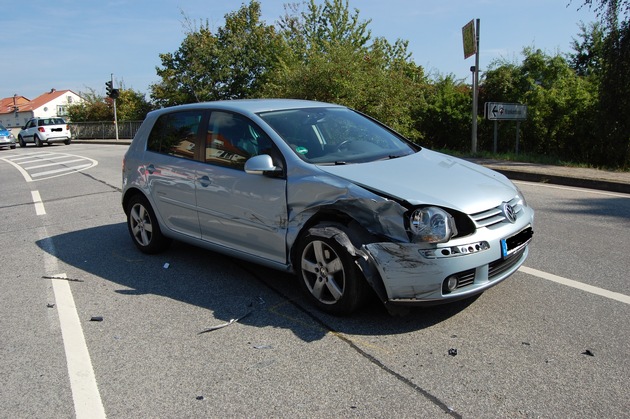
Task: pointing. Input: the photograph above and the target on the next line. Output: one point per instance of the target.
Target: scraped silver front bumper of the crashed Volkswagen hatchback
(411, 274)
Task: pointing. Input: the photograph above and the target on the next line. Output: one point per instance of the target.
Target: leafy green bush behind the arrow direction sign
(560, 104)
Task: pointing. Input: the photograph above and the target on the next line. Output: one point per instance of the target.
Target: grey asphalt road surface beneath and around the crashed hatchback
(91, 327)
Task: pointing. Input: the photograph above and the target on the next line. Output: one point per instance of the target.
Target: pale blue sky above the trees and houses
(79, 44)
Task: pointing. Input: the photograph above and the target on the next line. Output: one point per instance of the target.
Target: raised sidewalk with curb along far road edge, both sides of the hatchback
(558, 175)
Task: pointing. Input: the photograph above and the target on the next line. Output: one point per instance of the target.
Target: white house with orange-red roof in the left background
(15, 111)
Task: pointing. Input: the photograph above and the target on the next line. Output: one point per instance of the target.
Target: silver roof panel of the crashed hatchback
(252, 106)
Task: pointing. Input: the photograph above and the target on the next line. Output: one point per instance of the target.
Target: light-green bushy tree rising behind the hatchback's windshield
(334, 59)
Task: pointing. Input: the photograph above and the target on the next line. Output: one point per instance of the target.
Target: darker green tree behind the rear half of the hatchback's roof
(233, 63)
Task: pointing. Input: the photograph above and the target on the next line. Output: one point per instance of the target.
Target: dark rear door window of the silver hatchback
(175, 134)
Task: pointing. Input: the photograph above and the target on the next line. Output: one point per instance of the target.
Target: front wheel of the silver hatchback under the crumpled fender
(328, 274)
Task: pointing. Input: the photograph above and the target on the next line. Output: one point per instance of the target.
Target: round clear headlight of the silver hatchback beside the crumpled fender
(432, 225)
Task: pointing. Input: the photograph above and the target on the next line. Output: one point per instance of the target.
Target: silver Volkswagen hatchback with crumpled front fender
(325, 192)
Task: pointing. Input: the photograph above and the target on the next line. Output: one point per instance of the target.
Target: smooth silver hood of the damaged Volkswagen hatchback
(428, 177)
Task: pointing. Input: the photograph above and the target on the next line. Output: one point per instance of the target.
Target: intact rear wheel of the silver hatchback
(143, 226)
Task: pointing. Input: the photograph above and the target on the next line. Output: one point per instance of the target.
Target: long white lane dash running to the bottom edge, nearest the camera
(85, 393)
